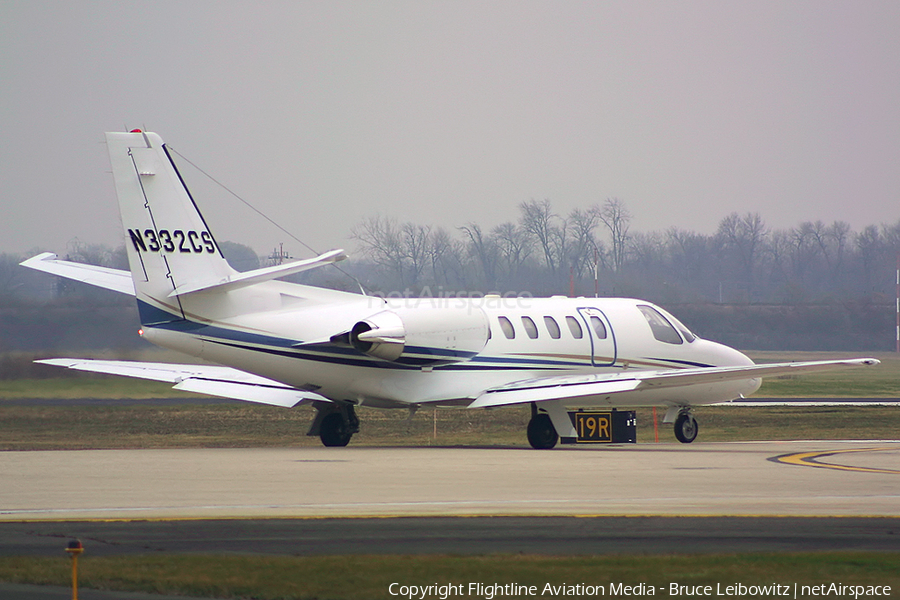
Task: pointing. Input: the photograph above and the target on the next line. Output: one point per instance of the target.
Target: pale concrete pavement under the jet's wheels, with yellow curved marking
(816, 478)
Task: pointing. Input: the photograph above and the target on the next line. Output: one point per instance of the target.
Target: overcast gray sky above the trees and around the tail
(322, 113)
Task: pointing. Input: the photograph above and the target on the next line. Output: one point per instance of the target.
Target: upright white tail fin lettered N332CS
(169, 243)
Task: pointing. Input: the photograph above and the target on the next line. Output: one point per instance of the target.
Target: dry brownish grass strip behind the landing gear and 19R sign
(245, 425)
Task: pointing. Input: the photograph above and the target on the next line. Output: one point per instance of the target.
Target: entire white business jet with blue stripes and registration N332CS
(285, 344)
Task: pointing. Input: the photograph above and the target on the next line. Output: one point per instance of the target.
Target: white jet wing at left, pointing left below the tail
(213, 380)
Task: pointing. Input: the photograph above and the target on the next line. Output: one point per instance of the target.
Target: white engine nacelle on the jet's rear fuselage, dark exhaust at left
(423, 335)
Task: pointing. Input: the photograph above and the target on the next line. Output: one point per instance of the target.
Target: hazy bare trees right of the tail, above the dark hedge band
(543, 252)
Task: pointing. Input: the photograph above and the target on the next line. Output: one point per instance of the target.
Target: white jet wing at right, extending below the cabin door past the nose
(573, 387)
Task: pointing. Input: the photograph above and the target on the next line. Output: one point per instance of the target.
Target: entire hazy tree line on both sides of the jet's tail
(813, 286)
